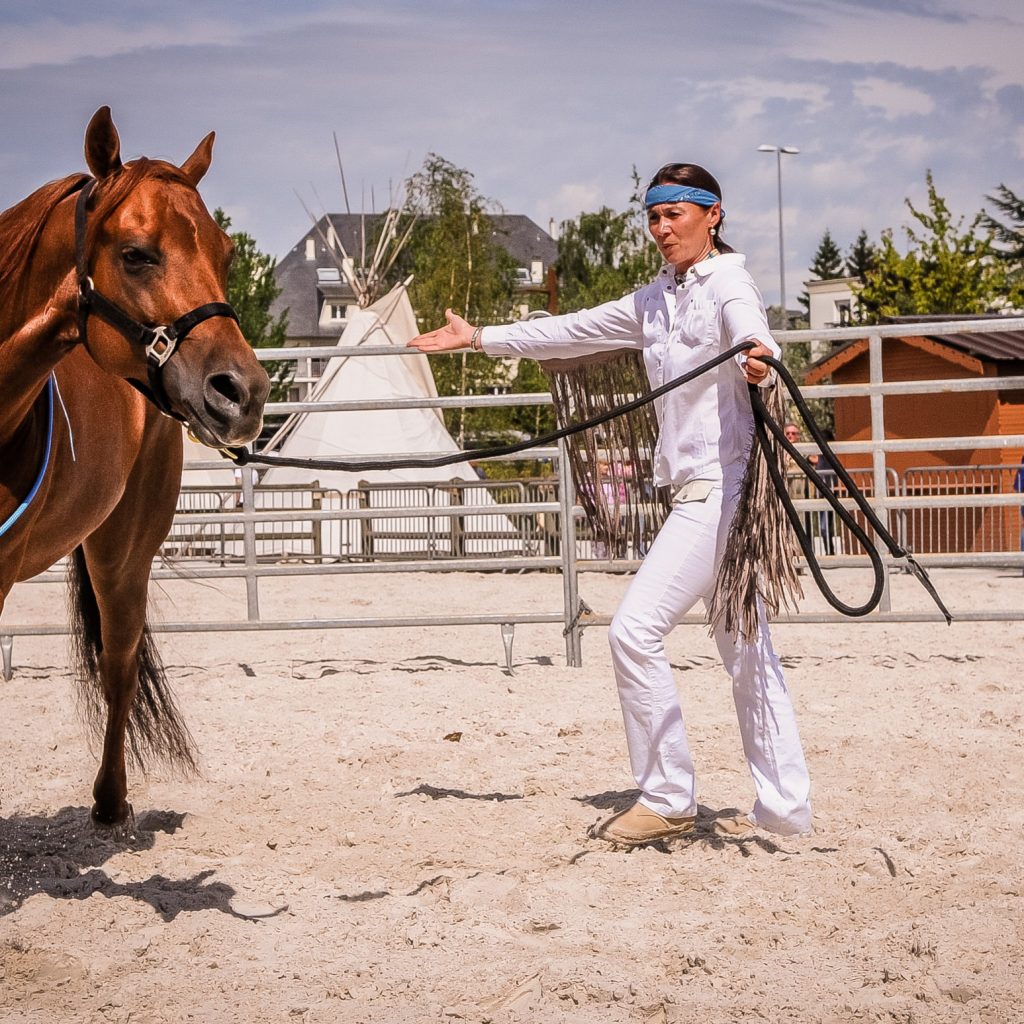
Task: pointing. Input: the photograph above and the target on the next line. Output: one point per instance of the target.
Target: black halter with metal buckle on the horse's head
(160, 343)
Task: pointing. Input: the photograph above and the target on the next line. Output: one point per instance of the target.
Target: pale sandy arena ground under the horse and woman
(391, 828)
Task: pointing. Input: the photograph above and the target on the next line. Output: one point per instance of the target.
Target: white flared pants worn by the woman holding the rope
(681, 568)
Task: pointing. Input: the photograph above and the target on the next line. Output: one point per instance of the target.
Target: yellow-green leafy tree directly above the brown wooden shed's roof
(946, 270)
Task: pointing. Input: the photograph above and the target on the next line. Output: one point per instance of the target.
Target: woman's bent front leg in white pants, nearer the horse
(678, 570)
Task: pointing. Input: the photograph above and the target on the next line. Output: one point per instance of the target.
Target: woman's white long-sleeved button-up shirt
(707, 424)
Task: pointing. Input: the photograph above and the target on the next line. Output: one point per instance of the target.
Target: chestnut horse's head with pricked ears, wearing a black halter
(153, 251)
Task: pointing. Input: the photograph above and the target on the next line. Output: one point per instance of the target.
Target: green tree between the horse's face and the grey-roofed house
(251, 290)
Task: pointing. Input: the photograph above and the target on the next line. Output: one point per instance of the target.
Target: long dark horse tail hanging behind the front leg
(156, 728)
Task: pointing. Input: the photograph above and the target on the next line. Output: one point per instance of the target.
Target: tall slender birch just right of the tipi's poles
(457, 263)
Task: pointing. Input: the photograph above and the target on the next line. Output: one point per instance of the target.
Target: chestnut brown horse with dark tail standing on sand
(114, 328)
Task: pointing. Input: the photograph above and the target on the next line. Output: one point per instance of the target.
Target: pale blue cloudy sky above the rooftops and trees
(549, 105)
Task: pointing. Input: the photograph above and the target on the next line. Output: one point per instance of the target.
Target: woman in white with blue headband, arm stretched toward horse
(702, 303)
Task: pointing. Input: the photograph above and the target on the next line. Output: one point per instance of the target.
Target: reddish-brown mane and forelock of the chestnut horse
(22, 226)
